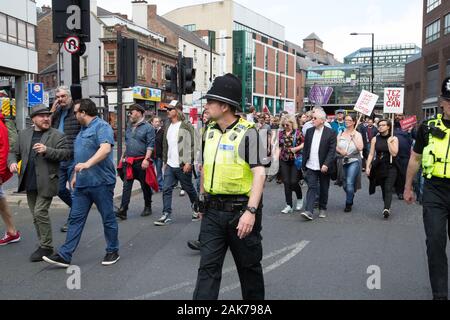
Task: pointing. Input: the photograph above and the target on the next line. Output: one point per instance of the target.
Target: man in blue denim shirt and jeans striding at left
(93, 183)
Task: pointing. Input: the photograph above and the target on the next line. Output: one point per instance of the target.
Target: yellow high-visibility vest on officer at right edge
(436, 155)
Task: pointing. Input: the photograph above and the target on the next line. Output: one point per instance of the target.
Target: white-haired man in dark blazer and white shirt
(319, 154)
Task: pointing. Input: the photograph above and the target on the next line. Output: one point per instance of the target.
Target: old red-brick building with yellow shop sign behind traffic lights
(99, 63)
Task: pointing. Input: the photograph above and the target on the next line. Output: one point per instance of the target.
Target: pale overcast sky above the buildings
(398, 21)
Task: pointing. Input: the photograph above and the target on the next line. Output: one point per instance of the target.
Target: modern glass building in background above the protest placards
(355, 75)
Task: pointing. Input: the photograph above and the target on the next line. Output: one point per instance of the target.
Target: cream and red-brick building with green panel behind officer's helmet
(257, 53)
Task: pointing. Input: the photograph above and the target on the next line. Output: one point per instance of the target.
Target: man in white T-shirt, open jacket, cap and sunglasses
(178, 159)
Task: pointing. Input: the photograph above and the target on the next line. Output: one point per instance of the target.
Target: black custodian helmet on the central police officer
(227, 89)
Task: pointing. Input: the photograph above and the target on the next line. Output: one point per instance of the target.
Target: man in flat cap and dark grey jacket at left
(41, 149)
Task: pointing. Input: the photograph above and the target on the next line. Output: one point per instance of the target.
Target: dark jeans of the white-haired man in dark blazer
(318, 184)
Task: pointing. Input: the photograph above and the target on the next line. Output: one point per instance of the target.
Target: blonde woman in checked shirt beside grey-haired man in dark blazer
(291, 143)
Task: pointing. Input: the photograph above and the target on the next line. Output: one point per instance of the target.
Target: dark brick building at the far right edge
(426, 72)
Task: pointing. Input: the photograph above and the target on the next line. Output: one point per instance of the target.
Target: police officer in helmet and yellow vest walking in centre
(233, 178)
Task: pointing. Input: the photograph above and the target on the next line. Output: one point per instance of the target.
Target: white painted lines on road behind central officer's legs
(295, 250)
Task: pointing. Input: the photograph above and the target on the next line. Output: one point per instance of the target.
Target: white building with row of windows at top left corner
(19, 60)
